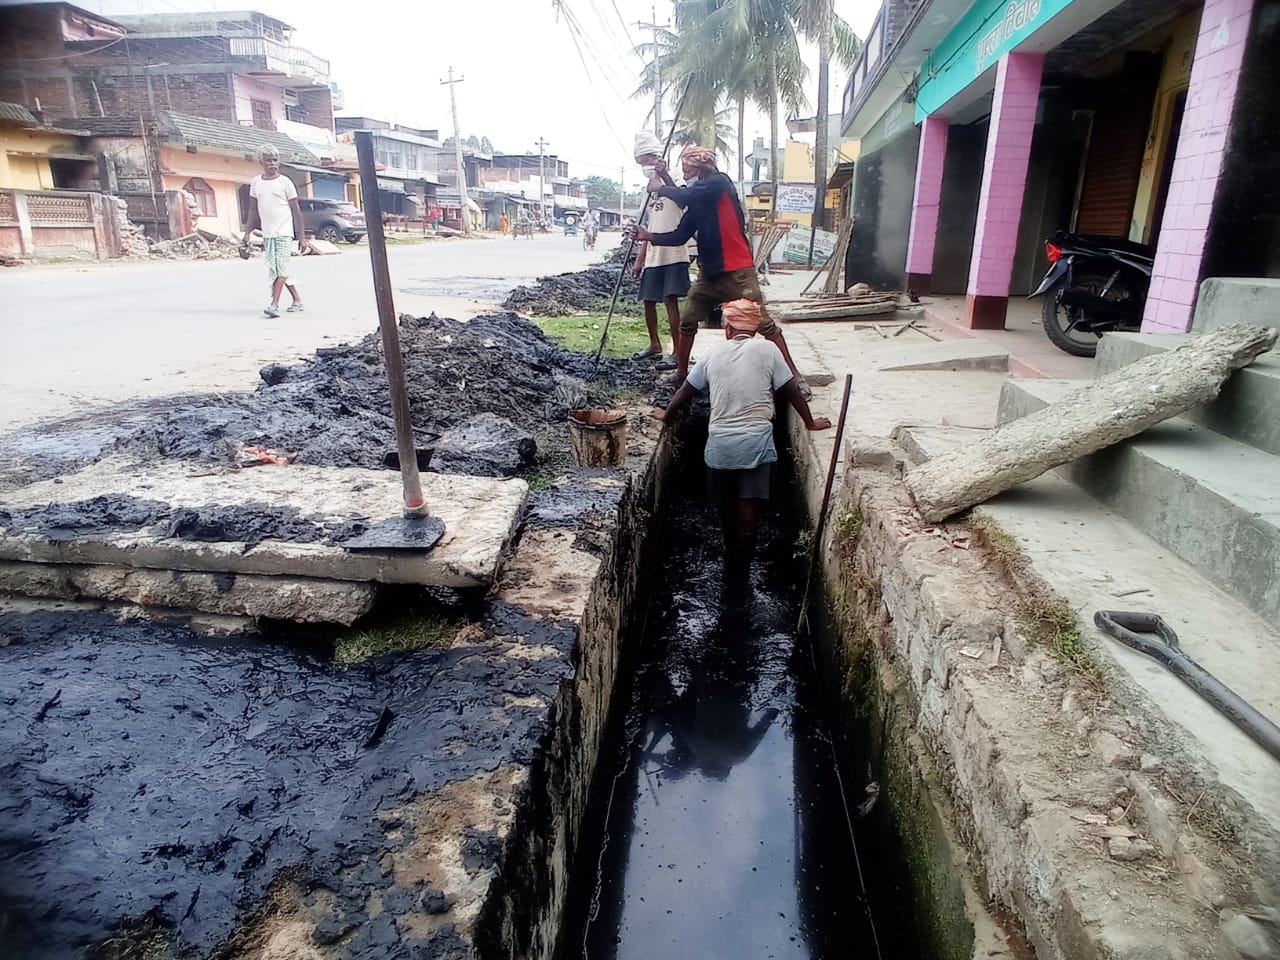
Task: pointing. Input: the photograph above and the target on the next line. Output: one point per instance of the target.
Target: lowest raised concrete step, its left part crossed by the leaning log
(1213, 501)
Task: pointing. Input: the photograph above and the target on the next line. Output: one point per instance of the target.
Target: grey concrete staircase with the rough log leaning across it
(1206, 486)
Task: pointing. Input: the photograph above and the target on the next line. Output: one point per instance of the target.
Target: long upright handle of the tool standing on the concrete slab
(414, 501)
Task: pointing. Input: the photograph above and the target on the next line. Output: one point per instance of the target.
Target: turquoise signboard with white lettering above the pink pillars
(988, 31)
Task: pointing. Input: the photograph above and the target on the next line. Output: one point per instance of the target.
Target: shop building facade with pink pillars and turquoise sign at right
(989, 126)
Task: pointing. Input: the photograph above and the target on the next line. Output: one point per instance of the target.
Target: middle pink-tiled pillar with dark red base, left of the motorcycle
(1004, 175)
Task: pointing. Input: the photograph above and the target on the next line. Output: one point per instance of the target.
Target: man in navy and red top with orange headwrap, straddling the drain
(726, 267)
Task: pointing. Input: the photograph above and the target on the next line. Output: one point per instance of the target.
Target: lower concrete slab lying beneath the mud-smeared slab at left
(301, 600)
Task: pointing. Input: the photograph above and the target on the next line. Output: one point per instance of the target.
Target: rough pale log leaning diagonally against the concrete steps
(1101, 414)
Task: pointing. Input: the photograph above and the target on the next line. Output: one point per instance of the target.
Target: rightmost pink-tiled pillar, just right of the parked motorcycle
(1197, 166)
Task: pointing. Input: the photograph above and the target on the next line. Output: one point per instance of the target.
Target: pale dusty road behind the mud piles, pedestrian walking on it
(75, 337)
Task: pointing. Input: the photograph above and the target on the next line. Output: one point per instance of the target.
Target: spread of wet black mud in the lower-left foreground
(150, 775)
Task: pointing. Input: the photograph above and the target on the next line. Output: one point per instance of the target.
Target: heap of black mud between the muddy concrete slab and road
(493, 381)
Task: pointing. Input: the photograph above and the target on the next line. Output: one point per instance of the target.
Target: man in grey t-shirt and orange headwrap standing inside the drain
(742, 377)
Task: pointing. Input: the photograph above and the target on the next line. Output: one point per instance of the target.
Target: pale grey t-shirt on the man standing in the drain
(742, 377)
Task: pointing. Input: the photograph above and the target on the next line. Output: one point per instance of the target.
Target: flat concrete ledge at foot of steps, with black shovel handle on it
(1095, 560)
